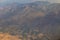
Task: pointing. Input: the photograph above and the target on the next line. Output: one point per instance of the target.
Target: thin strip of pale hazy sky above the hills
(1, 1)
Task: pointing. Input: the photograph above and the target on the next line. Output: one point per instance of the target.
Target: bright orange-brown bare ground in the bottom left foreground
(6, 36)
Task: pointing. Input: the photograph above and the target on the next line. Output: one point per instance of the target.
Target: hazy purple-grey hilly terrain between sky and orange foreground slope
(33, 21)
